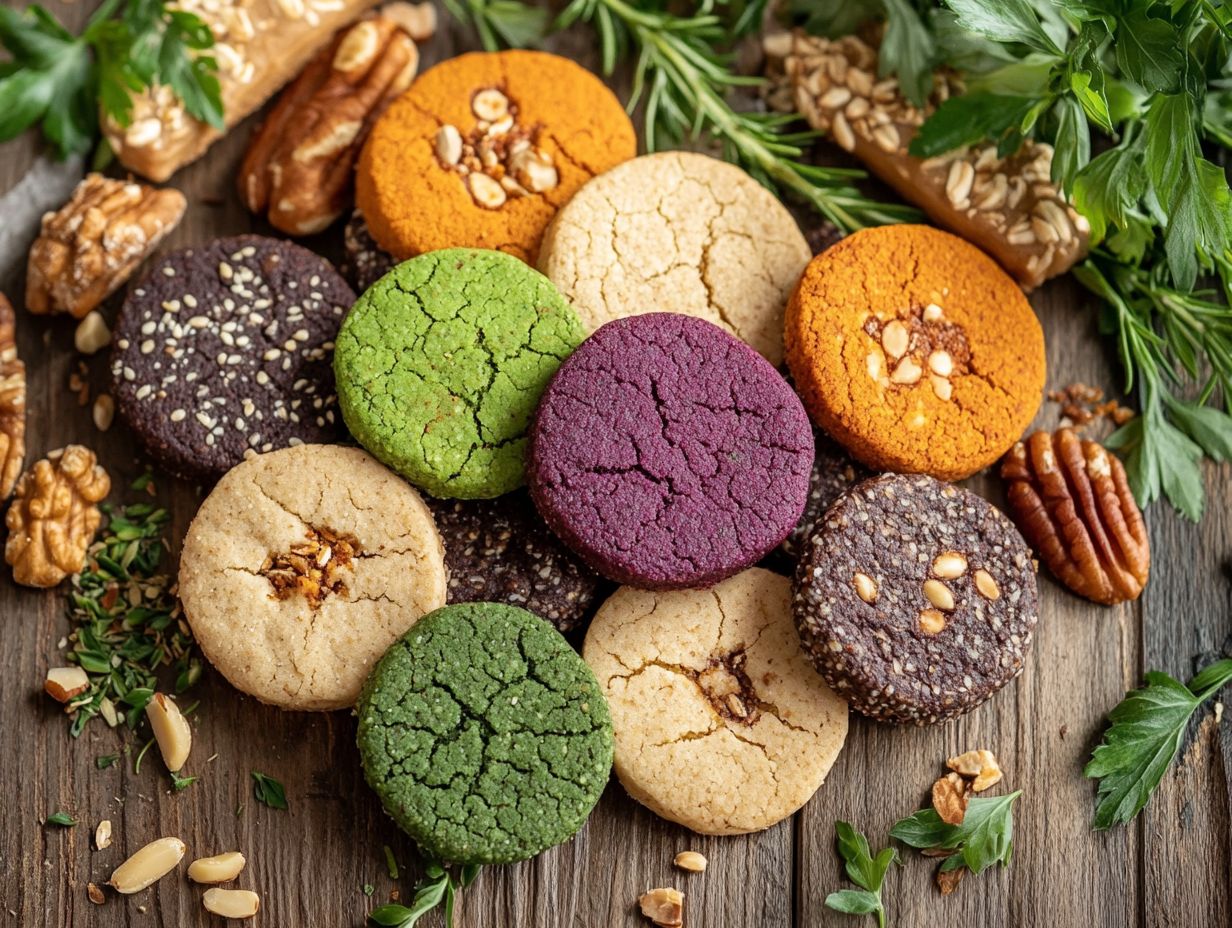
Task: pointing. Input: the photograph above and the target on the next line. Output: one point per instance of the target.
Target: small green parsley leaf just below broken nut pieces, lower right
(985, 837)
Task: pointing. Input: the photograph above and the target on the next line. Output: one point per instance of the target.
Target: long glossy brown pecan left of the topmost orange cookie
(300, 166)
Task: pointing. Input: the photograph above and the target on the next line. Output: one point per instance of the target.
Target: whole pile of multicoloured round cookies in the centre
(564, 373)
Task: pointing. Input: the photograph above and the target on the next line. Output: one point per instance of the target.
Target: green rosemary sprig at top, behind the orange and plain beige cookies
(683, 76)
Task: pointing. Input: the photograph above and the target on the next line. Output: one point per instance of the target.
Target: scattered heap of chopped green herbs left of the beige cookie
(126, 621)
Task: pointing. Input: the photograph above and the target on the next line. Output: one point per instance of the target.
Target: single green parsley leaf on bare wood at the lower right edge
(1144, 739)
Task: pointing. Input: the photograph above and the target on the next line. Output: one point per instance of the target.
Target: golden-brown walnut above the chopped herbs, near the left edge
(55, 517)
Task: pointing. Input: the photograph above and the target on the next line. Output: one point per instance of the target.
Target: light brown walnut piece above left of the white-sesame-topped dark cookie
(95, 243)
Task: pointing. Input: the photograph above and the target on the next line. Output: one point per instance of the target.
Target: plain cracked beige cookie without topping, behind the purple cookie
(678, 232)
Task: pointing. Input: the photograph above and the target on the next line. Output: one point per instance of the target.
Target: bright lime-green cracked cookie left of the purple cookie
(442, 363)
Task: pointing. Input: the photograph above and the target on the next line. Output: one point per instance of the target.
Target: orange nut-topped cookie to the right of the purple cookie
(916, 351)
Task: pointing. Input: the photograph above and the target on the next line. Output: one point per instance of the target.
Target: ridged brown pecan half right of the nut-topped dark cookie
(1072, 501)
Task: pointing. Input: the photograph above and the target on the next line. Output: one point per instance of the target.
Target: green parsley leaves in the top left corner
(62, 82)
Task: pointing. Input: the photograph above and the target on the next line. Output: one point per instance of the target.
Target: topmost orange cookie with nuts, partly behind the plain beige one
(484, 150)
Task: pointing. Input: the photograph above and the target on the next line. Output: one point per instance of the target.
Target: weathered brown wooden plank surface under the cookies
(1172, 867)
